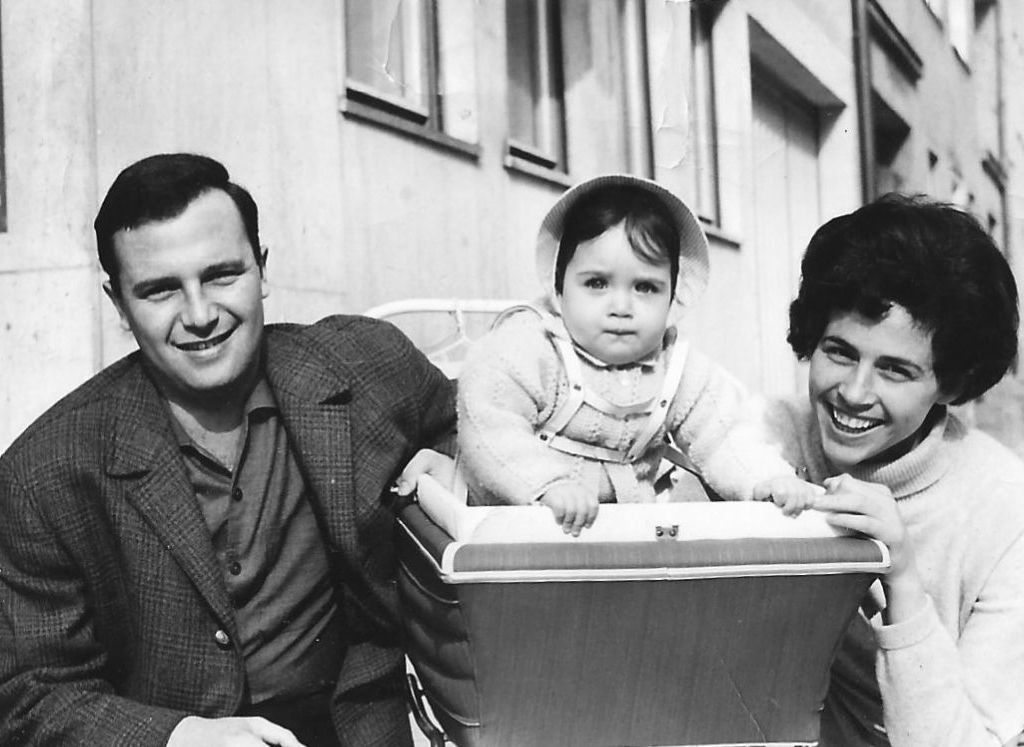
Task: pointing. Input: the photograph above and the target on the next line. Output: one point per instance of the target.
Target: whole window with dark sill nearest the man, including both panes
(411, 65)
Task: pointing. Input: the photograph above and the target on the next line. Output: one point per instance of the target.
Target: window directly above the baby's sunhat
(578, 87)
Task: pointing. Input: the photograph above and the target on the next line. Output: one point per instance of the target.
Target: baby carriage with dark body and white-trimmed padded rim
(684, 624)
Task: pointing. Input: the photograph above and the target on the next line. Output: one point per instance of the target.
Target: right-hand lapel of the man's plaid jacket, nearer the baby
(314, 398)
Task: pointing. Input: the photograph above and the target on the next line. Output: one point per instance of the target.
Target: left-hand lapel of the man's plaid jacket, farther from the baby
(144, 453)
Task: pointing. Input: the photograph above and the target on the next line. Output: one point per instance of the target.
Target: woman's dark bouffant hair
(933, 260)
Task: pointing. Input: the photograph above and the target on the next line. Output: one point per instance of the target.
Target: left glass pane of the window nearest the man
(387, 48)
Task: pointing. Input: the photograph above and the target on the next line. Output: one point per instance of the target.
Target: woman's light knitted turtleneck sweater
(954, 675)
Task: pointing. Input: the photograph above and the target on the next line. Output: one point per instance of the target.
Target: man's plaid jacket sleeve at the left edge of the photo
(53, 684)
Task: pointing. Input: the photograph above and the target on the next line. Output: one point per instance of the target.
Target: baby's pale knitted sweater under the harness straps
(514, 381)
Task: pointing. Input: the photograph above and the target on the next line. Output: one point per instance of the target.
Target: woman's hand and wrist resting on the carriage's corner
(871, 510)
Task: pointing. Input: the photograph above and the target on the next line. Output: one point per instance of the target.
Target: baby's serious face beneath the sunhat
(615, 305)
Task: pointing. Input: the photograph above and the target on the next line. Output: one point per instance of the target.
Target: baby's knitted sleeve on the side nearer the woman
(723, 430)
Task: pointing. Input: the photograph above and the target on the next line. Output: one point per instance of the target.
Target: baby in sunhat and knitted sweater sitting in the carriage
(569, 402)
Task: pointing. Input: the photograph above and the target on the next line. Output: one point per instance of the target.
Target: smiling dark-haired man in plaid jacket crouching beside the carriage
(196, 545)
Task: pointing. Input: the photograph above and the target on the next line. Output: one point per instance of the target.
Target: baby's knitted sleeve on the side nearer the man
(507, 388)
